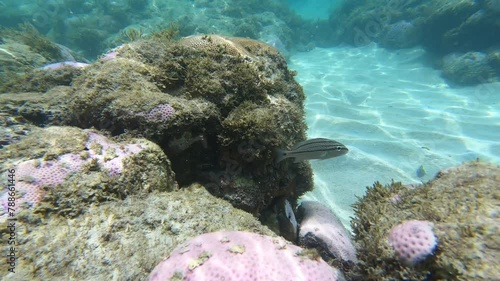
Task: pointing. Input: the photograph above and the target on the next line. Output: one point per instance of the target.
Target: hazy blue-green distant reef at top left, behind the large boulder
(92, 26)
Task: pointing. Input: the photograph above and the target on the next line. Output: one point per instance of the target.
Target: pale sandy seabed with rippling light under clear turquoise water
(394, 114)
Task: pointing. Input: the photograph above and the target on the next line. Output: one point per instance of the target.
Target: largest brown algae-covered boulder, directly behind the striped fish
(208, 101)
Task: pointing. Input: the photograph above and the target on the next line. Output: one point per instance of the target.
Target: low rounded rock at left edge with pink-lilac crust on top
(63, 169)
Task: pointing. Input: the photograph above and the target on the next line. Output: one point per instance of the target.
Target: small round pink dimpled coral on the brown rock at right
(413, 241)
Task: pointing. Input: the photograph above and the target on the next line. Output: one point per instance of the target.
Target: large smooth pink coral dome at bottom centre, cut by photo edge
(242, 256)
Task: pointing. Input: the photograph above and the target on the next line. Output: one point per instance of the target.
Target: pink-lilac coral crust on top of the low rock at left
(33, 176)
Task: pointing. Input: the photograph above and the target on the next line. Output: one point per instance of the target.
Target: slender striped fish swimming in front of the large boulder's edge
(319, 148)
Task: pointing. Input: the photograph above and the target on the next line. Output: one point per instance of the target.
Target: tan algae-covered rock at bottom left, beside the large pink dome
(120, 239)
